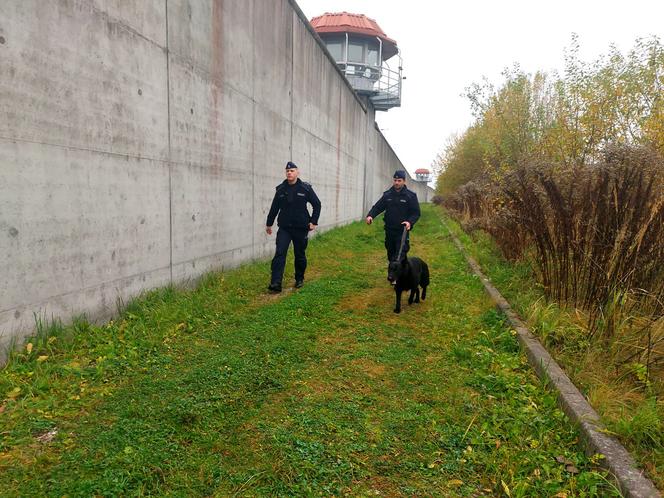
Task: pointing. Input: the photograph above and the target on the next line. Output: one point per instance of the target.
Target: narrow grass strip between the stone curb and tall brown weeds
(631, 409)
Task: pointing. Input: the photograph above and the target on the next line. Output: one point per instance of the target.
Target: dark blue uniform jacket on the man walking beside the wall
(291, 204)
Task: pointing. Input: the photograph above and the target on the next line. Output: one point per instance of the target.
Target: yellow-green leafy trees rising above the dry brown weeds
(565, 120)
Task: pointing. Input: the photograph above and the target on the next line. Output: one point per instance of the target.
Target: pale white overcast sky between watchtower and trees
(446, 46)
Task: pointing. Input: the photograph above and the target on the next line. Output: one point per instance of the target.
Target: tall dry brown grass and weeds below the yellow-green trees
(596, 237)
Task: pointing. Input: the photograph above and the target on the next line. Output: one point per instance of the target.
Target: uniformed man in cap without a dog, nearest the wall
(295, 223)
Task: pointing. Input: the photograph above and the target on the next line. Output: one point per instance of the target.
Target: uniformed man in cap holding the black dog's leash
(402, 209)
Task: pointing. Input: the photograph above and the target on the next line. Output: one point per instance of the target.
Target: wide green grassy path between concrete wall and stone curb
(226, 391)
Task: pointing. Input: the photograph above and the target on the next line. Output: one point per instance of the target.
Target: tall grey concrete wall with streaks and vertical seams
(141, 142)
